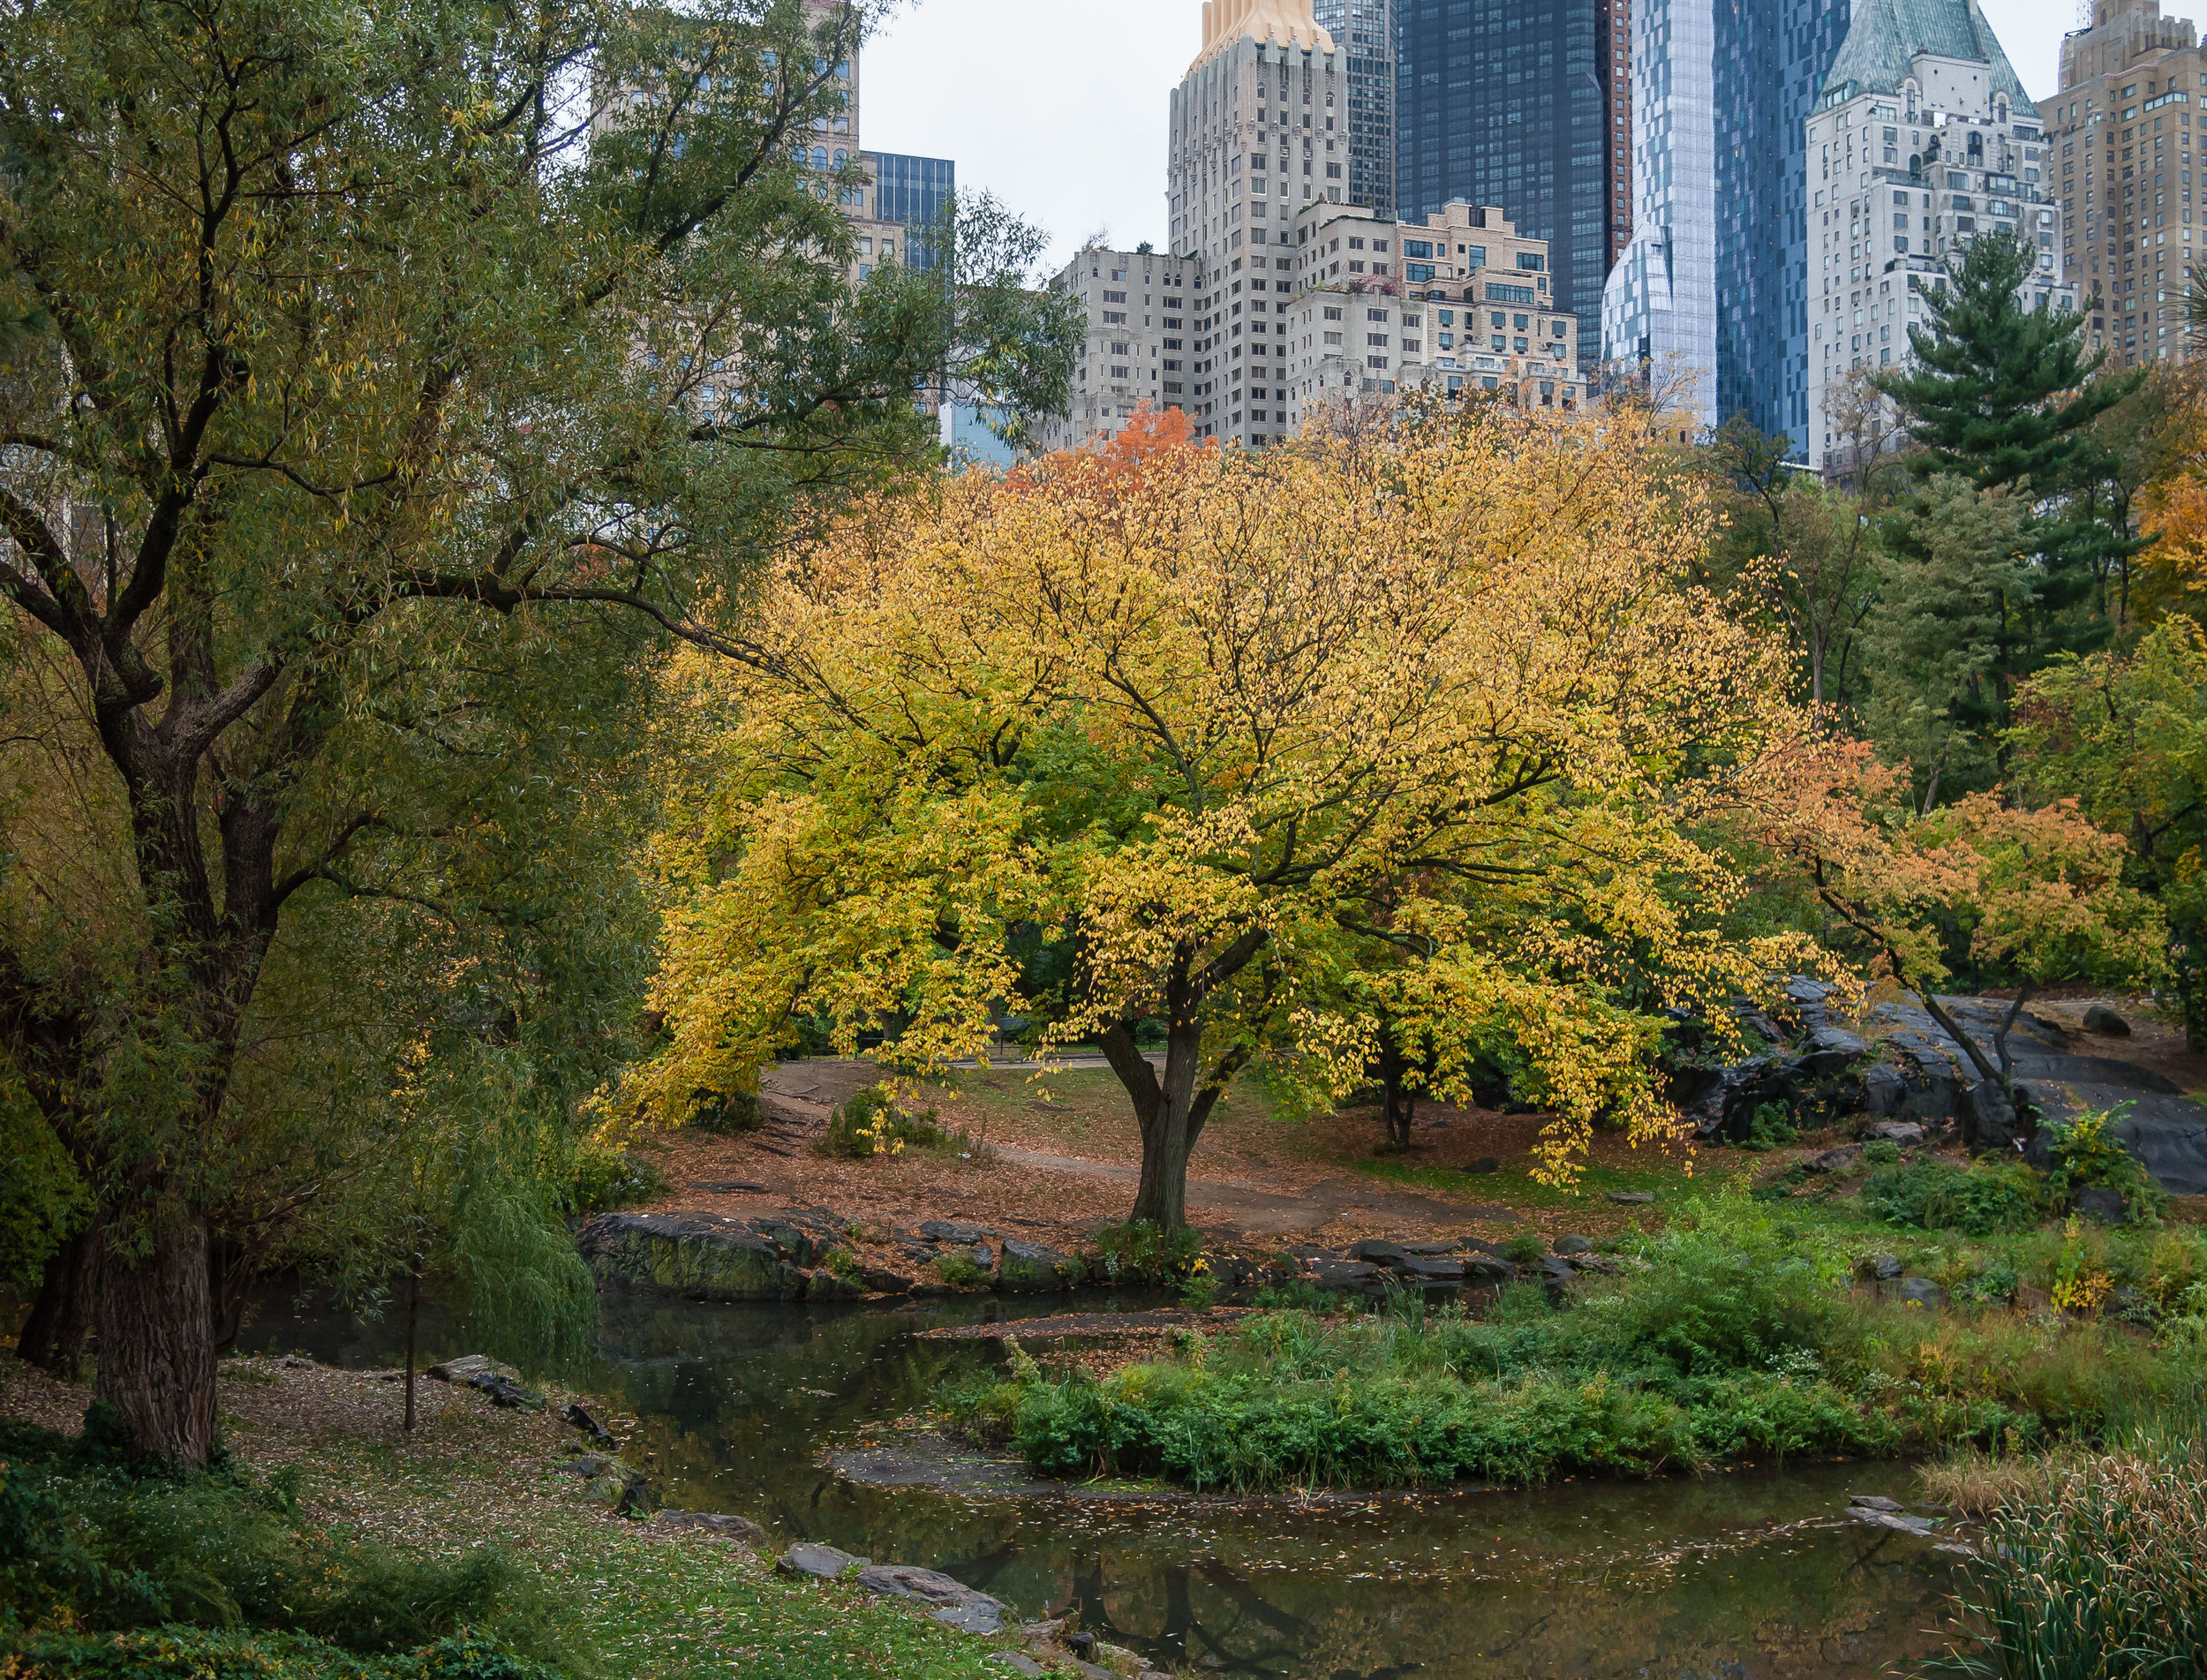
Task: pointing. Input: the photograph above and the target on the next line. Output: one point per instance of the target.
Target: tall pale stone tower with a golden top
(1259, 129)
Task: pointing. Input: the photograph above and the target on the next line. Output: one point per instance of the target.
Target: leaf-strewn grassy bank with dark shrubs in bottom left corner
(597, 1595)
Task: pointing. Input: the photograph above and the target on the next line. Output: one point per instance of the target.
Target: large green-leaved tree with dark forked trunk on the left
(348, 339)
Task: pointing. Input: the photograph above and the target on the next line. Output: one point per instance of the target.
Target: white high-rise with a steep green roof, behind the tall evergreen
(1919, 145)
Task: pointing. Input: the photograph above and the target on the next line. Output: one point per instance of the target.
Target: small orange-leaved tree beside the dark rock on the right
(2025, 895)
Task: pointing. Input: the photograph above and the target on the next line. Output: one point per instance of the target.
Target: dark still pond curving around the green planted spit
(1709, 1577)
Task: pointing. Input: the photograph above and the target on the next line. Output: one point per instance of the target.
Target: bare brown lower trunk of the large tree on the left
(158, 1339)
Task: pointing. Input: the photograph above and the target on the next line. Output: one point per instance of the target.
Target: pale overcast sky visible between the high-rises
(1058, 107)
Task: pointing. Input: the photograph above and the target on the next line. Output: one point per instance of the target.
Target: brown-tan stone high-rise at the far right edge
(2133, 98)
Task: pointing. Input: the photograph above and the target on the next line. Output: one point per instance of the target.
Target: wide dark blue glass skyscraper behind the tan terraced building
(1522, 107)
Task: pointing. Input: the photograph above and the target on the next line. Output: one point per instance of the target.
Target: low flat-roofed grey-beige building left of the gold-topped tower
(1136, 348)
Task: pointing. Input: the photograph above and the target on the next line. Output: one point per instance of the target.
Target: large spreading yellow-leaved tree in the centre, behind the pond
(1396, 732)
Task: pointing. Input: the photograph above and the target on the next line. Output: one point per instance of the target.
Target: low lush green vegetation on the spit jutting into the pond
(1738, 1341)
